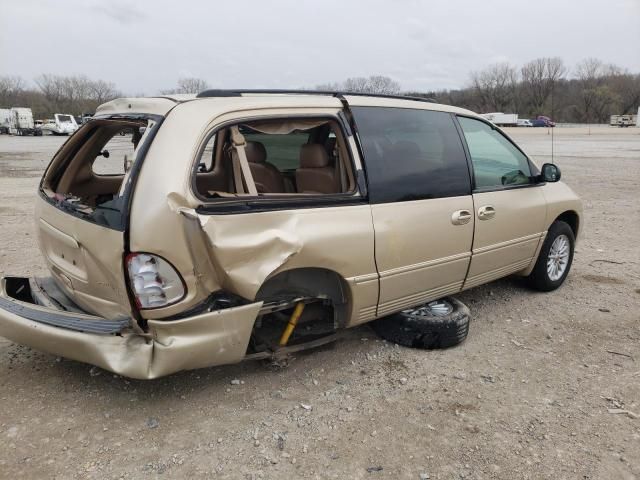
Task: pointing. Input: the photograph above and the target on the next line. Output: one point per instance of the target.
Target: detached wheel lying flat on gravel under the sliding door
(439, 324)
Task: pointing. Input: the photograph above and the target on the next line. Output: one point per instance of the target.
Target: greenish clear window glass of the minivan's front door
(496, 161)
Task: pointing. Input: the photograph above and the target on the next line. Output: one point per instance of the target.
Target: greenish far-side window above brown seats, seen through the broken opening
(283, 150)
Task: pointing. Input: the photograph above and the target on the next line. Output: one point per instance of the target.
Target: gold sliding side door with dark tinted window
(419, 189)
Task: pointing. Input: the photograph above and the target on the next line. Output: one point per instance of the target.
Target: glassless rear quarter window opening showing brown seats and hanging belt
(285, 157)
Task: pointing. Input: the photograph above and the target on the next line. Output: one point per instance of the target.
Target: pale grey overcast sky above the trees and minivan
(145, 46)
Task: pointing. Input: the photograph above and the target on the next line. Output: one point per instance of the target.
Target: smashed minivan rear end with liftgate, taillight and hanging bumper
(89, 309)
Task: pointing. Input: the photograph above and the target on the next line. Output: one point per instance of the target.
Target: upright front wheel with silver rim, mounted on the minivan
(554, 261)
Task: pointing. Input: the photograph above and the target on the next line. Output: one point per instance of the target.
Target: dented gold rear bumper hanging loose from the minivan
(213, 338)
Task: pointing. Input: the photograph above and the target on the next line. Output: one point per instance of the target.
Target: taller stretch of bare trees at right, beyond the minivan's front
(589, 93)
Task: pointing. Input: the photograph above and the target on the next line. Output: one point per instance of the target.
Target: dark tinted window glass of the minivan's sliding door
(411, 154)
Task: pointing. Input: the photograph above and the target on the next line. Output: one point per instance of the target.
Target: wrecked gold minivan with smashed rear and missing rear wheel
(191, 231)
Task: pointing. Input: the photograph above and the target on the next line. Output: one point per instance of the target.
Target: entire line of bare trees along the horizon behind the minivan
(589, 93)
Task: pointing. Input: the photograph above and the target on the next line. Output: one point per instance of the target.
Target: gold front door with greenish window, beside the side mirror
(509, 207)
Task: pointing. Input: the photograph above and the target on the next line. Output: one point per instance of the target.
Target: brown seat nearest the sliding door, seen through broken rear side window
(316, 174)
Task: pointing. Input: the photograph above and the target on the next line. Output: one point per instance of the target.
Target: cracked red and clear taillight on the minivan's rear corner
(154, 281)
